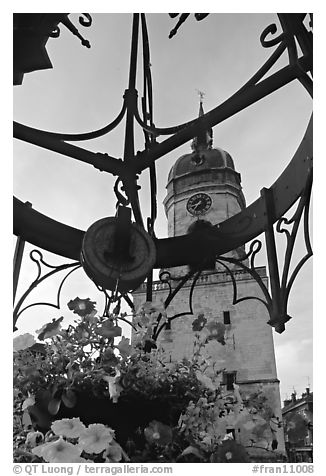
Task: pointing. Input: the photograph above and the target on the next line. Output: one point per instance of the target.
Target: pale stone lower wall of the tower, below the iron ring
(249, 347)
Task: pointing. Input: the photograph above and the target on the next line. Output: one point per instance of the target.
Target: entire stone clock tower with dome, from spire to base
(204, 189)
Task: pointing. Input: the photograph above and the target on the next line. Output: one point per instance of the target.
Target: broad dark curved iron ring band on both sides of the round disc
(64, 240)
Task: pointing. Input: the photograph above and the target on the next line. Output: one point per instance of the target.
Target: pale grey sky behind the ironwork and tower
(84, 91)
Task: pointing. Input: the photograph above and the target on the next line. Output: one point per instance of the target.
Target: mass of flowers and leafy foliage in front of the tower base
(86, 393)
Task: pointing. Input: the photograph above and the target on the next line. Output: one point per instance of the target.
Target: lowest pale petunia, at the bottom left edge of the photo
(58, 451)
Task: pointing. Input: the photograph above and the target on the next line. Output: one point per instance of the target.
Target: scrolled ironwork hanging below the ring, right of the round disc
(275, 300)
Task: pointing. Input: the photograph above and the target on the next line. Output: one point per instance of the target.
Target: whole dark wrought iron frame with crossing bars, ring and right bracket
(259, 217)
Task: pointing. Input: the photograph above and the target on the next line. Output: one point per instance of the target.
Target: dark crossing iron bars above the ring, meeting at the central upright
(294, 31)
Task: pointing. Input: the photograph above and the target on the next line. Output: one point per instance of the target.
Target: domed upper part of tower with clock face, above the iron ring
(203, 188)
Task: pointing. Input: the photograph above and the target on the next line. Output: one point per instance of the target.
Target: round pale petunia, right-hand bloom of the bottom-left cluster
(96, 438)
